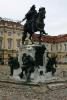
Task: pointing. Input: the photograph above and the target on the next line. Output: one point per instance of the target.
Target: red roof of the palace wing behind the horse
(51, 39)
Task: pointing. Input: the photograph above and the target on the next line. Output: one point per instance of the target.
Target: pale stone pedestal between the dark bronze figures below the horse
(39, 75)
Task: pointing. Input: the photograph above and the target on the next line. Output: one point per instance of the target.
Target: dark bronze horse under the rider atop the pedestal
(38, 26)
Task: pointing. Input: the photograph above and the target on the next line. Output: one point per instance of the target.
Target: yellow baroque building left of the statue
(10, 38)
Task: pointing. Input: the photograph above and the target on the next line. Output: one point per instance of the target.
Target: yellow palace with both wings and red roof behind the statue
(11, 37)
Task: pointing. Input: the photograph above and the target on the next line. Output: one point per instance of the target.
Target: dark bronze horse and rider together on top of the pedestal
(34, 22)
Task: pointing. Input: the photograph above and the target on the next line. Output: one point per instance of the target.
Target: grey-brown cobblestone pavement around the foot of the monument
(29, 92)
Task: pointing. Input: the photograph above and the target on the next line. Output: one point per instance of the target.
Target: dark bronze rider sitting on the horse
(30, 17)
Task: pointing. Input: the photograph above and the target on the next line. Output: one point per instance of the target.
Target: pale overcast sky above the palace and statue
(56, 13)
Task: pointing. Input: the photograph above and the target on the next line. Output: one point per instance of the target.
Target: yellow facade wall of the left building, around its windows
(5, 27)
